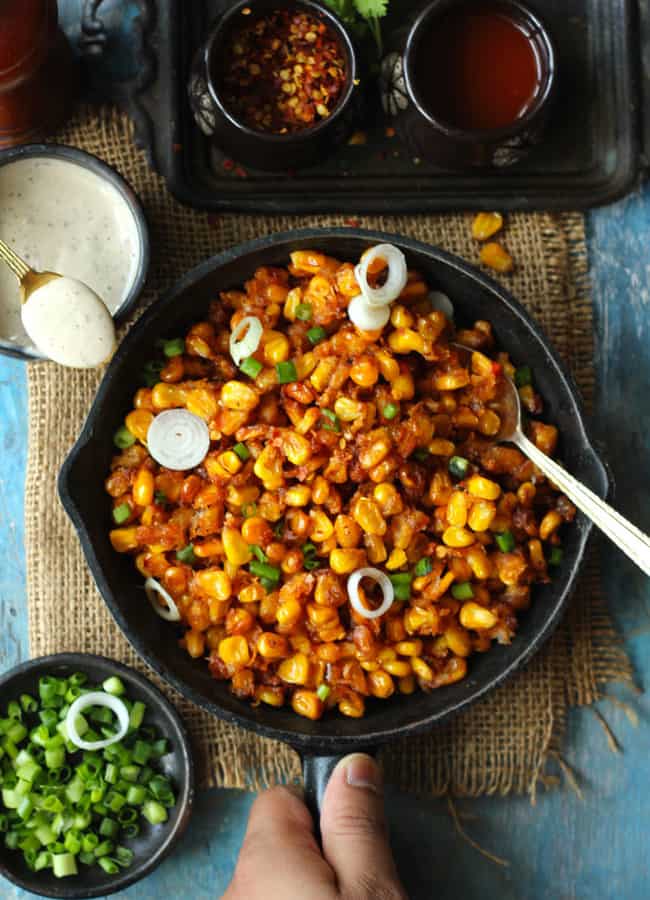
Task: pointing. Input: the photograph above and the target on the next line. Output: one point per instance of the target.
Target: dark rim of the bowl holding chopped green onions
(72, 889)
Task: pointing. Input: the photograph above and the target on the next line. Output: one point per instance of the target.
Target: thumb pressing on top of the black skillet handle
(354, 832)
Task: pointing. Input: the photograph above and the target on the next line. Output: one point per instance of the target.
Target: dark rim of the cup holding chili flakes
(278, 140)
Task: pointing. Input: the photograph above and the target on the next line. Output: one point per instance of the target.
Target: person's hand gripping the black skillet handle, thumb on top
(280, 858)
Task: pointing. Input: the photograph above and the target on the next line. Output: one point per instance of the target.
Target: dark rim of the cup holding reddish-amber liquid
(542, 100)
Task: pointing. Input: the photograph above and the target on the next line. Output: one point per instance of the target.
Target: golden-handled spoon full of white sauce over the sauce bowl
(65, 318)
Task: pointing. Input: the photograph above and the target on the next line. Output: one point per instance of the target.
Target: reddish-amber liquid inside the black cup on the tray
(479, 69)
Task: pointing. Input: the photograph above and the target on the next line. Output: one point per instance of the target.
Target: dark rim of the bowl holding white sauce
(109, 174)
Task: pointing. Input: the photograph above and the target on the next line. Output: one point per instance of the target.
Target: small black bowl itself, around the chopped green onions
(153, 843)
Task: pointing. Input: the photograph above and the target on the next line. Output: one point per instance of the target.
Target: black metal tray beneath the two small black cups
(590, 156)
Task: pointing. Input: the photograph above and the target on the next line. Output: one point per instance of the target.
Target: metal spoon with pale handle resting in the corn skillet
(627, 537)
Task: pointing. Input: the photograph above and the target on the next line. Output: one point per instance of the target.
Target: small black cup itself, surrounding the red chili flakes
(258, 149)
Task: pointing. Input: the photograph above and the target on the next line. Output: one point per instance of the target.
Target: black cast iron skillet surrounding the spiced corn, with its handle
(81, 488)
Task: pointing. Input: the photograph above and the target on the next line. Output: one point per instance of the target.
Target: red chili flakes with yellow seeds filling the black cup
(284, 72)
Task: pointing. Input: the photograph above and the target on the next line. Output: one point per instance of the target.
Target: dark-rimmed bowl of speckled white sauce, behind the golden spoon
(63, 210)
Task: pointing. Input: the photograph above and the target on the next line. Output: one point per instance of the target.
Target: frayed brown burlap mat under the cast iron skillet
(500, 745)
